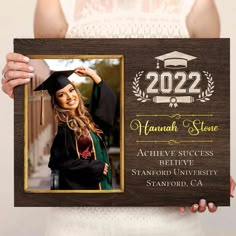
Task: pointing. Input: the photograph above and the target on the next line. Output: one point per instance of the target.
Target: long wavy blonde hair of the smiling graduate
(80, 121)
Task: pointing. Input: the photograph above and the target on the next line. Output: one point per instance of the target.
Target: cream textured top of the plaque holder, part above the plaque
(130, 19)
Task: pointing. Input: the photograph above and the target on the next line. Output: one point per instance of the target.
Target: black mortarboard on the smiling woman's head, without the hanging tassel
(55, 81)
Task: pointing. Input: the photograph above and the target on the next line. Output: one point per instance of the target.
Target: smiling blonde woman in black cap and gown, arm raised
(78, 152)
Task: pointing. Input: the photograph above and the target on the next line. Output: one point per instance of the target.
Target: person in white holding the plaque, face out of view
(123, 19)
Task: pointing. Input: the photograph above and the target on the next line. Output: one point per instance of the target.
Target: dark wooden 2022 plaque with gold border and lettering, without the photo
(174, 116)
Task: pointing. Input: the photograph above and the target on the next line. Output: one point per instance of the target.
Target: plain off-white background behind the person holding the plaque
(16, 22)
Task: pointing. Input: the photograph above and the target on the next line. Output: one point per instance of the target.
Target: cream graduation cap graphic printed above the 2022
(175, 60)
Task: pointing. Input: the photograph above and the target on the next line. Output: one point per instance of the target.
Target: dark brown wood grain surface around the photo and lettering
(139, 55)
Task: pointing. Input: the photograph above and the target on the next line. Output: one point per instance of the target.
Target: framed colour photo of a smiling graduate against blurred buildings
(73, 126)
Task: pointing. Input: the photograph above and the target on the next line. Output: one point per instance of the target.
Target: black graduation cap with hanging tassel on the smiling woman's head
(56, 81)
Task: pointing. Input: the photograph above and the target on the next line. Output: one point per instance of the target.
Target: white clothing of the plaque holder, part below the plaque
(122, 221)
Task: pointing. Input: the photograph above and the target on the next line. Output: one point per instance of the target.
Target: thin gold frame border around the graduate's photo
(26, 145)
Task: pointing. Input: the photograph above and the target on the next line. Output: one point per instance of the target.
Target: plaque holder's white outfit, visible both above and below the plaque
(126, 19)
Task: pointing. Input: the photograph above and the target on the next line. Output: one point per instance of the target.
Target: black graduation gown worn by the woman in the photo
(76, 173)
